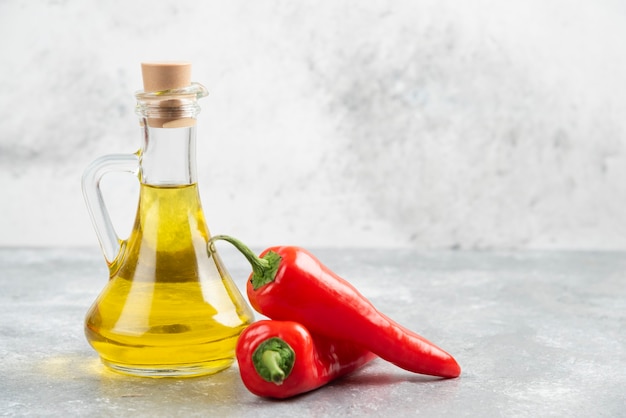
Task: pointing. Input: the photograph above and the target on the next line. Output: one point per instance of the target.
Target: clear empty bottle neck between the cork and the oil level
(168, 156)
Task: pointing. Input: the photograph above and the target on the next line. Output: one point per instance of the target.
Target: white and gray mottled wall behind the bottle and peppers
(434, 124)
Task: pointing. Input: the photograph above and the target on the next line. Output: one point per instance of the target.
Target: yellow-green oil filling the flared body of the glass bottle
(169, 308)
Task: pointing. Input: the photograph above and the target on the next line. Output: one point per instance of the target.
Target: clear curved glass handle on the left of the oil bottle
(109, 240)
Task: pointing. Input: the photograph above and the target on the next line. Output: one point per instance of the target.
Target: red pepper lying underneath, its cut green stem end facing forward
(280, 359)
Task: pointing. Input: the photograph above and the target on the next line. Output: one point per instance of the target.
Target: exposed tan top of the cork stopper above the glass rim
(160, 76)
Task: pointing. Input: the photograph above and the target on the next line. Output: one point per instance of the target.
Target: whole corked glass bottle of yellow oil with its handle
(170, 307)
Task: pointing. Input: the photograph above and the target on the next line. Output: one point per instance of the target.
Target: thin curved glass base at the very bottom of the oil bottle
(172, 370)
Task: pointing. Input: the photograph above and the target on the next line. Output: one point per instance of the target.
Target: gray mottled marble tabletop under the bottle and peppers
(537, 334)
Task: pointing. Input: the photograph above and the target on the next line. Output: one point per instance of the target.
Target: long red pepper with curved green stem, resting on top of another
(289, 283)
